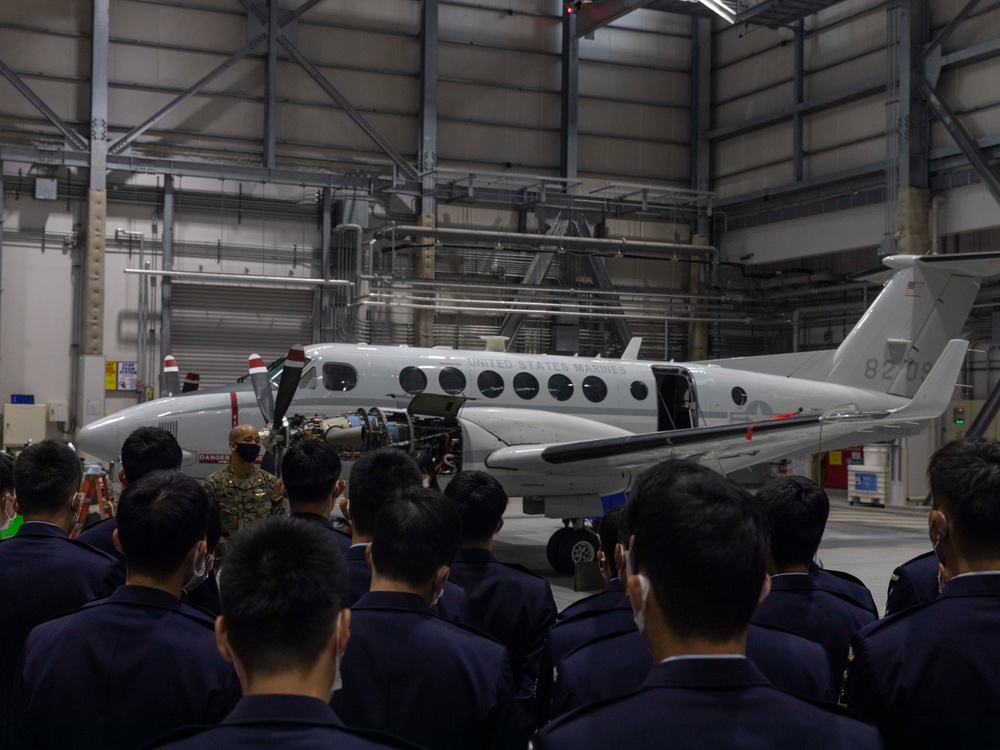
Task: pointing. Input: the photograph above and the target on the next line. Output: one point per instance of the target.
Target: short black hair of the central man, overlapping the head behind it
(416, 532)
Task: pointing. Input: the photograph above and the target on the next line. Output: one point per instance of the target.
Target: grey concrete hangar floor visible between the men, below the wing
(866, 542)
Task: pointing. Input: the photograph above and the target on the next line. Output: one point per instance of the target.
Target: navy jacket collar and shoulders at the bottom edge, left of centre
(288, 722)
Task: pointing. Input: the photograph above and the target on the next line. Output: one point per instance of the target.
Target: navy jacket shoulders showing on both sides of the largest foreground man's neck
(617, 664)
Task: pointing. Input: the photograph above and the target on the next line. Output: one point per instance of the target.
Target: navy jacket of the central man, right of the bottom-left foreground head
(437, 683)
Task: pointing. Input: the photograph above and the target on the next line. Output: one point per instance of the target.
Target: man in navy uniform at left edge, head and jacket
(42, 571)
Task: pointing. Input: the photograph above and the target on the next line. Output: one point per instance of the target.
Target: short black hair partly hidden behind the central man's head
(375, 477)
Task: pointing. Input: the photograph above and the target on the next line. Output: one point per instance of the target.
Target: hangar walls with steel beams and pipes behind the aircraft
(567, 175)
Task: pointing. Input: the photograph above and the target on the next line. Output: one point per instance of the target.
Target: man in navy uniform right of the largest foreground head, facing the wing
(796, 510)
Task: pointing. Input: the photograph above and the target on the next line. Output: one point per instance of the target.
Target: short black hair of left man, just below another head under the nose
(160, 518)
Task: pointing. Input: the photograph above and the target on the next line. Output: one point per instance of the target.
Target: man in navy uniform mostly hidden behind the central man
(375, 477)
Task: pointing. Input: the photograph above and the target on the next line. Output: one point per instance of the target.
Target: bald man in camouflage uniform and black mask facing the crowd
(243, 492)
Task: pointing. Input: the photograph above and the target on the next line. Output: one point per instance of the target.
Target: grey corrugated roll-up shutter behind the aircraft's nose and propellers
(215, 328)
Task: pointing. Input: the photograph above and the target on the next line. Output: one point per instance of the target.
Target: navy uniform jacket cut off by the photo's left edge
(44, 573)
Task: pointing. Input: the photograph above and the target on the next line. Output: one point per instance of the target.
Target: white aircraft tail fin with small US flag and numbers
(921, 307)
